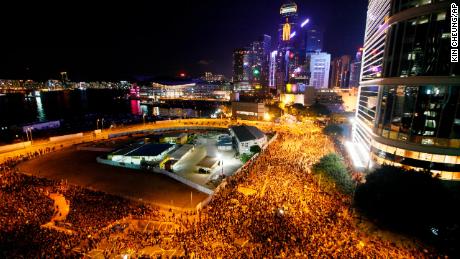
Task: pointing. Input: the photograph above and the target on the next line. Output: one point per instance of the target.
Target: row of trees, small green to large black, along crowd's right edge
(407, 201)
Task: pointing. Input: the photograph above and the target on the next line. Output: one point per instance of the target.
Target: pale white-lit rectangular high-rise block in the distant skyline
(320, 63)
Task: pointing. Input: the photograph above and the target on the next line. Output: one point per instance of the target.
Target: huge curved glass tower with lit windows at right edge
(408, 111)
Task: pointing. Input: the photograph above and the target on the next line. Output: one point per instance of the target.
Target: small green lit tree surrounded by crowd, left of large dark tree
(334, 171)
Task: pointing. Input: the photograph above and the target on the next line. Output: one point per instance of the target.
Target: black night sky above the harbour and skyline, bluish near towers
(137, 39)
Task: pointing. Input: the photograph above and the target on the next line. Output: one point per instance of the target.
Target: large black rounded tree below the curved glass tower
(406, 200)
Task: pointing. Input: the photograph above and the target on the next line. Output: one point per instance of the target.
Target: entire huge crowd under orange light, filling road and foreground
(287, 214)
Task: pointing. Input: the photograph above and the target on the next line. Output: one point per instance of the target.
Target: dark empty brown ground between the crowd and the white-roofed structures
(81, 168)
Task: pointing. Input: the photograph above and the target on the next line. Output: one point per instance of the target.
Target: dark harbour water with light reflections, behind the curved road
(78, 106)
